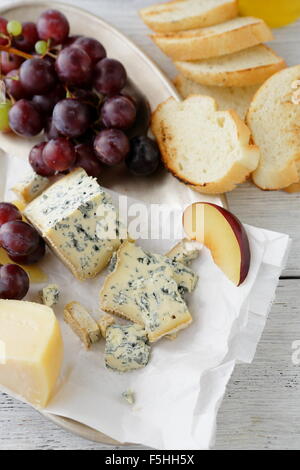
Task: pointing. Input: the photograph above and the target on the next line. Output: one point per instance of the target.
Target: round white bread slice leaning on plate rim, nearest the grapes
(205, 148)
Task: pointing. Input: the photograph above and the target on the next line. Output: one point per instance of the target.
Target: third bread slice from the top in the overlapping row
(244, 68)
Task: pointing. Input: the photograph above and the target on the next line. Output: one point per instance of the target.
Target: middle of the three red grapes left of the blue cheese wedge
(18, 237)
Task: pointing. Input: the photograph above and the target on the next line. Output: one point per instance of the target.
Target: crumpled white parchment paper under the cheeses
(178, 394)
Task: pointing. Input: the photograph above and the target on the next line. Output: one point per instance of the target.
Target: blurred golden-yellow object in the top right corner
(275, 12)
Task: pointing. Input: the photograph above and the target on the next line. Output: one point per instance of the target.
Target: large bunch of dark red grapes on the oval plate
(67, 87)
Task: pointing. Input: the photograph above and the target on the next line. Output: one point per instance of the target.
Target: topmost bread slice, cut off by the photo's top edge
(179, 15)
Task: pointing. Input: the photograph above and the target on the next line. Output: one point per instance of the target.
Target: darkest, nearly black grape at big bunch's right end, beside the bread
(144, 156)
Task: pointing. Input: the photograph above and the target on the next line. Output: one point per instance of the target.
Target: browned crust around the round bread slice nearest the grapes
(237, 174)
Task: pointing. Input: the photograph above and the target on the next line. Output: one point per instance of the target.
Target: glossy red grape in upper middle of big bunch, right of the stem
(74, 67)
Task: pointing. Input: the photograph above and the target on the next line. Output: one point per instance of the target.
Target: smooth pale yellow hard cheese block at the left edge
(31, 350)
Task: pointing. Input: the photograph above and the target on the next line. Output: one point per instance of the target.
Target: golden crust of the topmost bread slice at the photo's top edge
(216, 15)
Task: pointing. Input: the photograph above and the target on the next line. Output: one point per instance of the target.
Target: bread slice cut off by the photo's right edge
(274, 119)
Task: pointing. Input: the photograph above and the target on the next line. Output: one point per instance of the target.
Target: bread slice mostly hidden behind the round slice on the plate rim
(236, 98)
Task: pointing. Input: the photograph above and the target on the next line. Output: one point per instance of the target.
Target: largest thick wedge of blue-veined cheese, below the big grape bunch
(79, 221)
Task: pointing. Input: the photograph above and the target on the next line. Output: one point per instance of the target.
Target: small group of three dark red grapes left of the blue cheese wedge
(23, 245)
